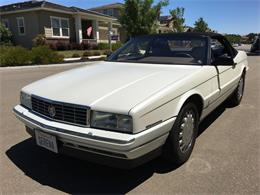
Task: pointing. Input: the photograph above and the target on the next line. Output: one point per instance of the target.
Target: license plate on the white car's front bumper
(46, 141)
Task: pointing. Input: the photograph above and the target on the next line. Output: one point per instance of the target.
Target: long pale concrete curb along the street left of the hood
(46, 66)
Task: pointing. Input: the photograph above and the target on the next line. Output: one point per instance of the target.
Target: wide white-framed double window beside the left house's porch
(60, 27)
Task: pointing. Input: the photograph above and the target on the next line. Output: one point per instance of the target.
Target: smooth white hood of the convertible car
(109, 86)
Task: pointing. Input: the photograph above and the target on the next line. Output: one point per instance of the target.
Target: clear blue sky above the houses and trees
(225, 16)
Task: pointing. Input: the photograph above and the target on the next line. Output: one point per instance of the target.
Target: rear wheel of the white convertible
(237, 95)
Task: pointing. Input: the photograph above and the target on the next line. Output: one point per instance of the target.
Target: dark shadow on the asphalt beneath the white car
(76, 176)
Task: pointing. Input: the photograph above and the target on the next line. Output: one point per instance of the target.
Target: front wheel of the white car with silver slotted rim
(181, 140)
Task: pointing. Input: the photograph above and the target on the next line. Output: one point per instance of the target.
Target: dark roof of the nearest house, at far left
(45, 4)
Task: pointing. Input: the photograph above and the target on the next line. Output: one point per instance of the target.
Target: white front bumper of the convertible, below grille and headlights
(106, 143)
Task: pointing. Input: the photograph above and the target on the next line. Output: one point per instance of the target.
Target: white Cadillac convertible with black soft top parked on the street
(147, 99)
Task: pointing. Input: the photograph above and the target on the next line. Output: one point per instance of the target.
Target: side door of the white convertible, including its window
(228, 74)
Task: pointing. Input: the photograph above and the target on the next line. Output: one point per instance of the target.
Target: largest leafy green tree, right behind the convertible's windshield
(140, 17)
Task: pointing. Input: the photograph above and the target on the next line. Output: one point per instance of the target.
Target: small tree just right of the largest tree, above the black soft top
(178, 19)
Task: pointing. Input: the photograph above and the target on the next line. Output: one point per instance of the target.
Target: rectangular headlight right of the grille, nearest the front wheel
(110, 121)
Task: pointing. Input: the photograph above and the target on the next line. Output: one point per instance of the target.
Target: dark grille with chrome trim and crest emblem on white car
(64, 112)
